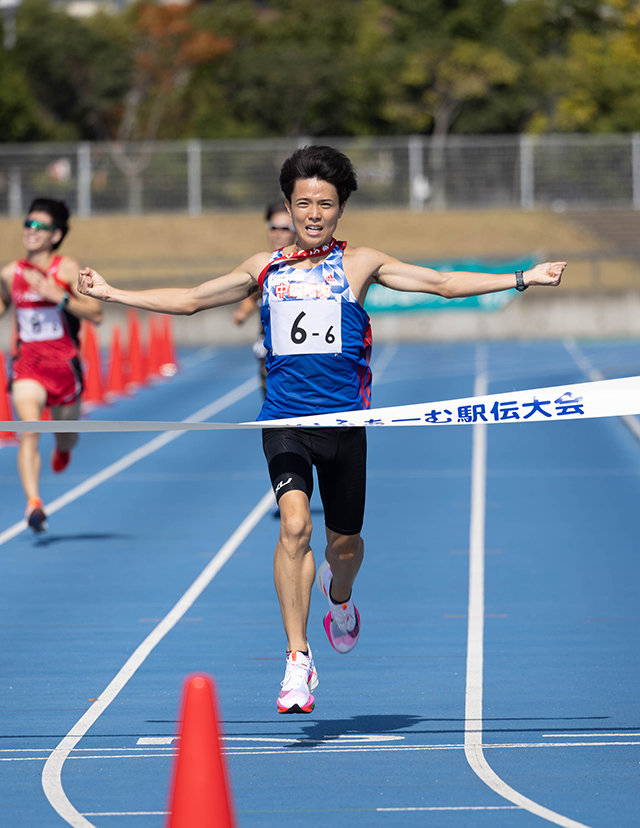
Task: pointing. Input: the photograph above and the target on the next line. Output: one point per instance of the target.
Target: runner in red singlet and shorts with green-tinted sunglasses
(46, 369)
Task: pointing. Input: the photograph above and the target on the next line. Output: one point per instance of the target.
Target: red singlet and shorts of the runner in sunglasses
(47, 338)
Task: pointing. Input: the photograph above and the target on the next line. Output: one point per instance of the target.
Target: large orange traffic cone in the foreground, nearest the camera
(200, 795)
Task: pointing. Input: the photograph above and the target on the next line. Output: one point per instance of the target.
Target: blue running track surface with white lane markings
(559, 726)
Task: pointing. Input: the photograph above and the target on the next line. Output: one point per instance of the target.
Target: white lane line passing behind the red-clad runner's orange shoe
(133, 457)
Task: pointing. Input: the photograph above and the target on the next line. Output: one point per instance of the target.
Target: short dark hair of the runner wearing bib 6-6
(325, 163)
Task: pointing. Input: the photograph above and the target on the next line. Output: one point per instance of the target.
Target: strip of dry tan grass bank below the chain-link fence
(176, 248)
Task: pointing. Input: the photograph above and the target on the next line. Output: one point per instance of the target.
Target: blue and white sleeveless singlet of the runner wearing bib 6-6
(317, 336)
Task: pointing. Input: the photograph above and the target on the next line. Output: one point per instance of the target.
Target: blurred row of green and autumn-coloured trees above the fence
(339, 67)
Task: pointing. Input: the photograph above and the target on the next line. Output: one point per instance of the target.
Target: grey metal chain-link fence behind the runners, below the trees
(522, 172)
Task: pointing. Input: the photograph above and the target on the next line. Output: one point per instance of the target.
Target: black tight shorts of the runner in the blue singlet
(340, 458)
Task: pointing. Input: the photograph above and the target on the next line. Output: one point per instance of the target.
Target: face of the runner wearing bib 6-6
(315, 210)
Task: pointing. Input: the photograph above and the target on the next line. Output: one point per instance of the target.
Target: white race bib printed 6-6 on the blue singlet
(306, 326)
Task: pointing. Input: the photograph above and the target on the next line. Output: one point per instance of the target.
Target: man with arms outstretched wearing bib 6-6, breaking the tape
(318, 343)
